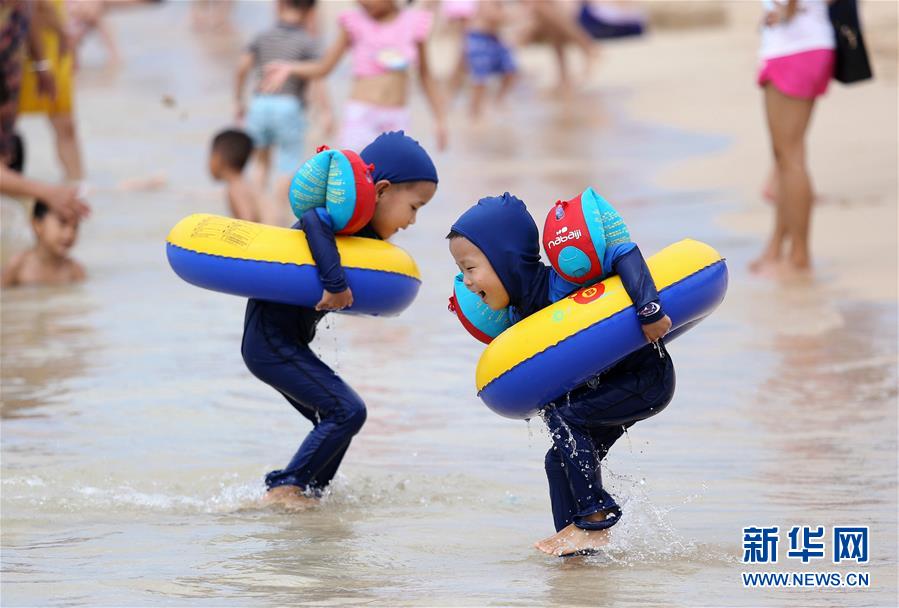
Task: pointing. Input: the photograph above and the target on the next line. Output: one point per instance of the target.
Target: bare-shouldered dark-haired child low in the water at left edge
(48, 262)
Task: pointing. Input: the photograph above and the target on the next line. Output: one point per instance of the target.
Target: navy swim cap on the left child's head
(398, 158)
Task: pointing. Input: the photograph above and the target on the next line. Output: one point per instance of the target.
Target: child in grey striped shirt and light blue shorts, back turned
(276, 118)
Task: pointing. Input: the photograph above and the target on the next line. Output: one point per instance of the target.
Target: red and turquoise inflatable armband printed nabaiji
(577, 233)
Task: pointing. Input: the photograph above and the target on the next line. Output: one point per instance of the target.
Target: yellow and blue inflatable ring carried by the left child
(275, 264)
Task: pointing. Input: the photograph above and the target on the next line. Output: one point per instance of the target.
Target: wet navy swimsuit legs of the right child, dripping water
(584, 427)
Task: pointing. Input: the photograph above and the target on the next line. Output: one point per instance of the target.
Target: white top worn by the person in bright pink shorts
(809, 30)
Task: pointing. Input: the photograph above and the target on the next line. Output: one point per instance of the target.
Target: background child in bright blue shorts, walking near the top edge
(487, 55)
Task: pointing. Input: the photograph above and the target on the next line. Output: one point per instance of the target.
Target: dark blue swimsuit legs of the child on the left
(312, 388)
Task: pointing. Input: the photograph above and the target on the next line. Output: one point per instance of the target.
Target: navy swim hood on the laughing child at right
(502, 228)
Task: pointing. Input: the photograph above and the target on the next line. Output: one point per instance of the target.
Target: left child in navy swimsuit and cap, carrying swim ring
(276, 338)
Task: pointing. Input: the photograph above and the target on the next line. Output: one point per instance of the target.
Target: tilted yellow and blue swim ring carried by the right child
(560, 347)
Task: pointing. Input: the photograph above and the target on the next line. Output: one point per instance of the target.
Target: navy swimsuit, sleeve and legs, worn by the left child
(276, 350)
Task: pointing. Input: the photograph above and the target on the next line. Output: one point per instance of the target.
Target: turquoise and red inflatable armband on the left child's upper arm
(340, 181)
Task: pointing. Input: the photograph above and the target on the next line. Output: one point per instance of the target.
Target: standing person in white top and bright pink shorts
(797, 61)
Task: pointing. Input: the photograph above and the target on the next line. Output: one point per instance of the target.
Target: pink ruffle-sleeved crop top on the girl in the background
(380, 47)
